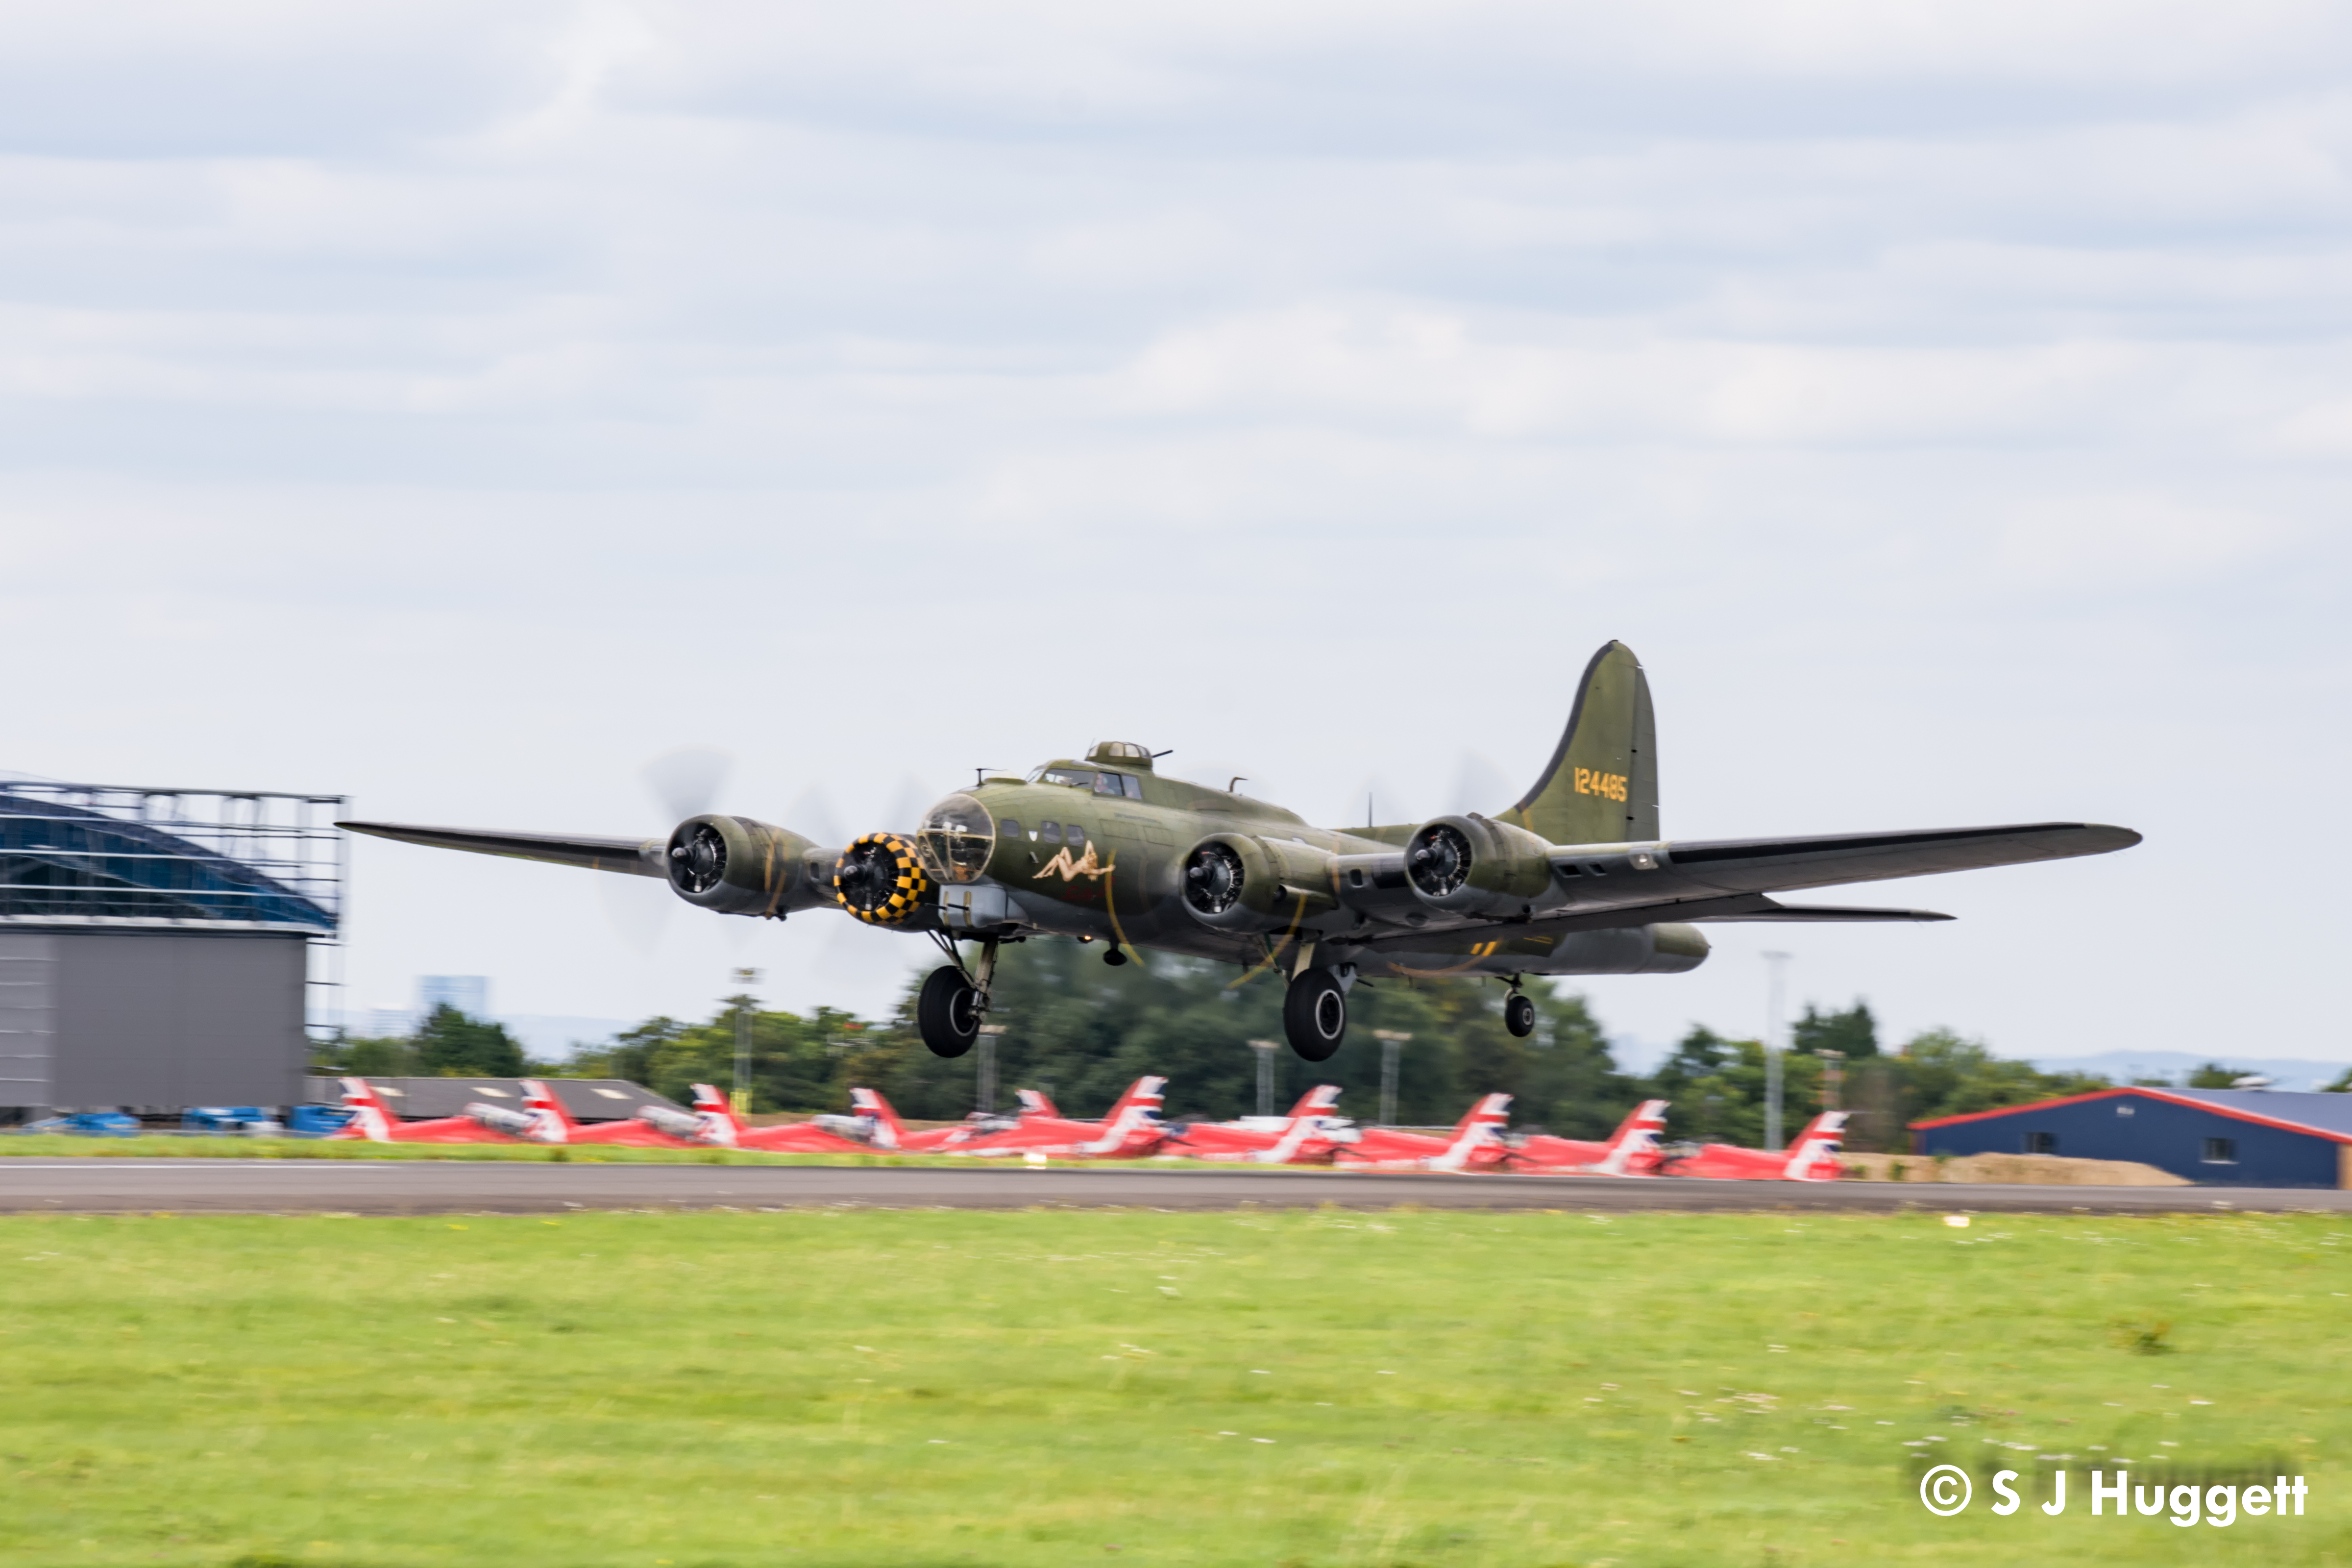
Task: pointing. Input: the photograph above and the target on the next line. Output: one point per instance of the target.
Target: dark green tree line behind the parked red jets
(1083, 1031)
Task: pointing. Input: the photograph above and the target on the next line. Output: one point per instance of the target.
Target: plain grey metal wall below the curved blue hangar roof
(152, 1019)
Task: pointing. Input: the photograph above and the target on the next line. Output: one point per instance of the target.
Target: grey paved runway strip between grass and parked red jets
(408, 1186)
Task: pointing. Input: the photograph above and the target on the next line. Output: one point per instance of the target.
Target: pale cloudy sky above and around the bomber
(462, 406)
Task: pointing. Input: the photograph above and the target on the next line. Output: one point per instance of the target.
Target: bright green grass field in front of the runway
(1147, 1388)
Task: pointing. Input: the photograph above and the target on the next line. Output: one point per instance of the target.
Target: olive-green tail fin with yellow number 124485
(1603, 782)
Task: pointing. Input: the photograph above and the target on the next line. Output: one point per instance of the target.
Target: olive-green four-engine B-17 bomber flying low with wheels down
(1572, 880)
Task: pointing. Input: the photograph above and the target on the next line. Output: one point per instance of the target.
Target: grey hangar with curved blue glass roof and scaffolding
(163, 949)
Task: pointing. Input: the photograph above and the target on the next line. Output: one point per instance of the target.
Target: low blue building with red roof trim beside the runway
(2221, 1137)
